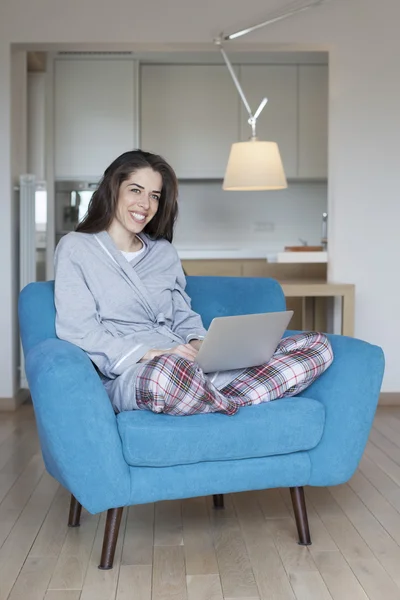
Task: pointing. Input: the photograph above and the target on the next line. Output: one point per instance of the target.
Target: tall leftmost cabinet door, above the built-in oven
(94, 115)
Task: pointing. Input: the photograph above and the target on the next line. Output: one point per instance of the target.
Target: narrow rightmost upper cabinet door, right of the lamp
(313, 121)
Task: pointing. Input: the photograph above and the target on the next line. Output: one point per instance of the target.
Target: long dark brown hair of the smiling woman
(103, 204)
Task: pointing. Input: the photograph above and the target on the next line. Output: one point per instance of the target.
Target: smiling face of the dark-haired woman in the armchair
(138, 199)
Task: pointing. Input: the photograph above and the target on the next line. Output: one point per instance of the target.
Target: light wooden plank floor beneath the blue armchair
(188, 551)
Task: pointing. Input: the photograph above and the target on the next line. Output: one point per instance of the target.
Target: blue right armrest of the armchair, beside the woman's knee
(349, 390)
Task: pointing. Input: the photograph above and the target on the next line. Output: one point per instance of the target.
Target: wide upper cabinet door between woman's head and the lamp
(189, 115)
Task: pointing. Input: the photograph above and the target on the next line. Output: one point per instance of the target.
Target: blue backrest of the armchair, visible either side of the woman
(211, 297)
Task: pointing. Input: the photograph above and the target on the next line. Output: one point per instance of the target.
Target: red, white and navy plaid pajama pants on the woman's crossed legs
(174, 385)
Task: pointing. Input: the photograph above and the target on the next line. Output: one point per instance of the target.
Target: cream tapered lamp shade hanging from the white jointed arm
(254, 165)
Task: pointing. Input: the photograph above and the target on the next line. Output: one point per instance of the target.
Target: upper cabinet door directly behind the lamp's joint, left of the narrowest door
(278, 121)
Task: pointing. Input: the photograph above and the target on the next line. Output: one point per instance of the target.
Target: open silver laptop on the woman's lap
(242, 341)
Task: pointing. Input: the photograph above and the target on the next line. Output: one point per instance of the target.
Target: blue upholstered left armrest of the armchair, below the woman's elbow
(77, 426)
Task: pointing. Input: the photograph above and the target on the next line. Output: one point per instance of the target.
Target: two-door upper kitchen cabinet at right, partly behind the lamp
(296, 115)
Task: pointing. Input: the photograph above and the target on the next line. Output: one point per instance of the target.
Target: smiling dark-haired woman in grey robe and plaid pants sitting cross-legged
(120, 296)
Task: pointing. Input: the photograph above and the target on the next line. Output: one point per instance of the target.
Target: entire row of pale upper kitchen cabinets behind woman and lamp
(190, 114)
